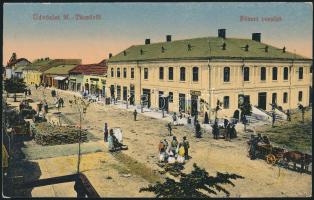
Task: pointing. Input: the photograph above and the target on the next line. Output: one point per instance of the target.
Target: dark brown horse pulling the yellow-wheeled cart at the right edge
(298, 157)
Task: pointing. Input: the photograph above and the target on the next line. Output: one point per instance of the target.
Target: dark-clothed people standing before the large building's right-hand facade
(229, 130)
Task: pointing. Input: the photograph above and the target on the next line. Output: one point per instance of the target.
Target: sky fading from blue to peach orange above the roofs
(122, 25)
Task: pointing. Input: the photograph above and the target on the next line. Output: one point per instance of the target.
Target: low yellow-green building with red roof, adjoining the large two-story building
(89, 78)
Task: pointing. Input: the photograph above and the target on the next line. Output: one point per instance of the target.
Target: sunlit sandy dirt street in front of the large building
(143, 136)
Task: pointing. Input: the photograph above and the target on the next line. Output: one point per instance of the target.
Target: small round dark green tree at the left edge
(14, 85)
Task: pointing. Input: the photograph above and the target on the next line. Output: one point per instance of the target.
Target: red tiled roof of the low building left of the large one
(90, 69)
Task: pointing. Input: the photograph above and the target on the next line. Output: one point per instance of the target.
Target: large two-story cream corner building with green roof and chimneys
(195, 74)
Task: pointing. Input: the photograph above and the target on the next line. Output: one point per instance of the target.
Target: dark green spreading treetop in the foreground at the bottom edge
(190, 185)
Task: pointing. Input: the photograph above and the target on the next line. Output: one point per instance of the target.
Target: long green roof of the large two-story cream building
(204, 48)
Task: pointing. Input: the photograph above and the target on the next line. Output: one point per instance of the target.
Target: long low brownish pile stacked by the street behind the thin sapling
(48, 134)
